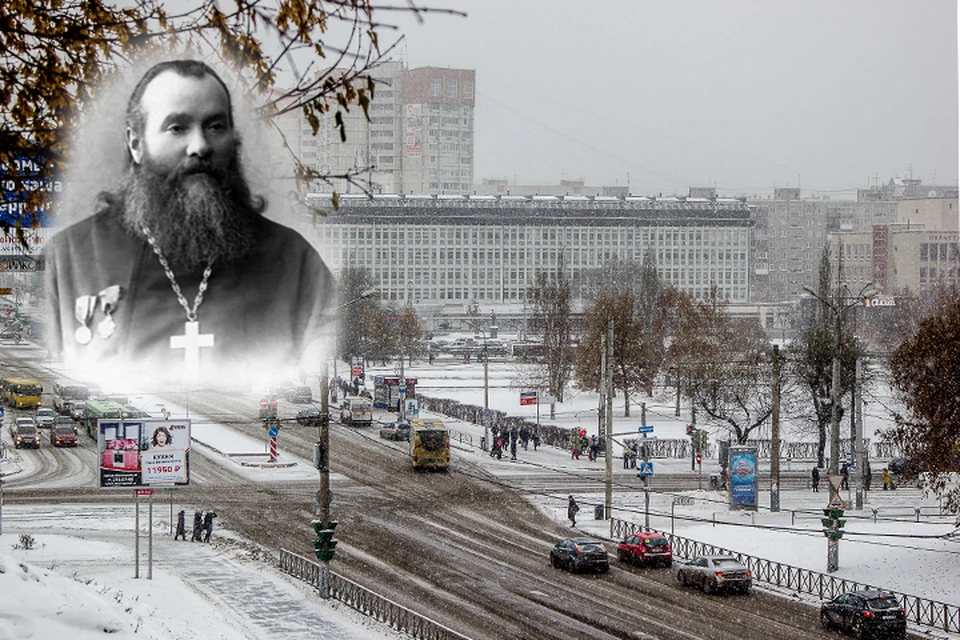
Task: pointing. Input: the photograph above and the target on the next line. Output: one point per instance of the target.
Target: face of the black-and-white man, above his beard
(185, 117)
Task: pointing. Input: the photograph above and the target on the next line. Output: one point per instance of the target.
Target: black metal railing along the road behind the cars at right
(931, 613)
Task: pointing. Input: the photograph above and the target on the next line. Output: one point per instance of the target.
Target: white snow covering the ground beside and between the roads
(78, 579)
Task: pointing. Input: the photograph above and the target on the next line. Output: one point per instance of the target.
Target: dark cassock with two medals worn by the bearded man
(111, 302)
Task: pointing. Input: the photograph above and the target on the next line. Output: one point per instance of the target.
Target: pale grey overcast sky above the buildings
(743, 95)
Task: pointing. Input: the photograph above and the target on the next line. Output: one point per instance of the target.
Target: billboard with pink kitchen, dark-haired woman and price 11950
(143, 452)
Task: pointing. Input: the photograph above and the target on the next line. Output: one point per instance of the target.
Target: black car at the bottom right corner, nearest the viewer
(866, 613)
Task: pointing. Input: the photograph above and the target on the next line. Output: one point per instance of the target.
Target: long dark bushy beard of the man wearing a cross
(196, 213)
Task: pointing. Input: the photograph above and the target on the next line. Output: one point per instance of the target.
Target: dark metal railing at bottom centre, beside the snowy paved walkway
(367, 602)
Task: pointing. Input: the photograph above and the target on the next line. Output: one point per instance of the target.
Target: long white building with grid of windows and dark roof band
(454, 250)
